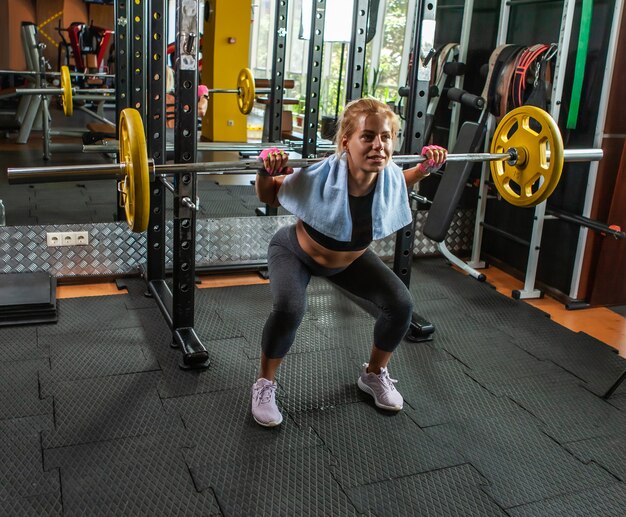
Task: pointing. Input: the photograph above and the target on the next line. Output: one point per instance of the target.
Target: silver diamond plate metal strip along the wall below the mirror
(113, 250)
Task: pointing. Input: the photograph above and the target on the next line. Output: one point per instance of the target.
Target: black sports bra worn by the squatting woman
(361, 213)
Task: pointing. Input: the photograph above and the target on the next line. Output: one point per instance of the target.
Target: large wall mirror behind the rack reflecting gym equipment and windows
(38, 132)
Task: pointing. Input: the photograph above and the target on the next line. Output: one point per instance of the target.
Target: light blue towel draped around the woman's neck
(319, 196)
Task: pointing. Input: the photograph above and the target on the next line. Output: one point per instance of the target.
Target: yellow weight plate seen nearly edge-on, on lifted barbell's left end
(135, 186)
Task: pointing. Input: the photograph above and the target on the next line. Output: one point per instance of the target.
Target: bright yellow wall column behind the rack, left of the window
(225, 46)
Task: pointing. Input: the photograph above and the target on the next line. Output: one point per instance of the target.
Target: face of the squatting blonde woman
(370, 147)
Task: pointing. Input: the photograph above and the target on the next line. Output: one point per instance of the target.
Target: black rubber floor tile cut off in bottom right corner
(605, 501)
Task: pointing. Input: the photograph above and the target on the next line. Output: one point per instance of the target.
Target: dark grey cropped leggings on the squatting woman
(290, 270)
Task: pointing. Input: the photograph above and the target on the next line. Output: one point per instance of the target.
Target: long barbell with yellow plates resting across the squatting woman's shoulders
(526, 161)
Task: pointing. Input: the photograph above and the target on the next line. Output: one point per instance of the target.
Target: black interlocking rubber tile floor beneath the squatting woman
(471, 379)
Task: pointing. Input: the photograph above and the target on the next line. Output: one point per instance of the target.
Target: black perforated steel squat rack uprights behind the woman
(141, 62)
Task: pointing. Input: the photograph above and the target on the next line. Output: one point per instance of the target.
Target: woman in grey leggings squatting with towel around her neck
(342, 203)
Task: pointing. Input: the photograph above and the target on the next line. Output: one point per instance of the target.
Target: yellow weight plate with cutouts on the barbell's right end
(532, 132)
